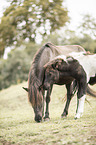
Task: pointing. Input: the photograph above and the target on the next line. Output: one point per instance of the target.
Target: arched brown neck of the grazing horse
(43, 55)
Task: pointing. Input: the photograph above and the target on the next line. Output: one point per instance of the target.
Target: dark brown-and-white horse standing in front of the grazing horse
(63, 70)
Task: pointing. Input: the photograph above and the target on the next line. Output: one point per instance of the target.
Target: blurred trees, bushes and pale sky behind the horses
(26, 25)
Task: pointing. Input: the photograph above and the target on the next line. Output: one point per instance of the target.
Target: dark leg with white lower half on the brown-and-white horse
(81, 98)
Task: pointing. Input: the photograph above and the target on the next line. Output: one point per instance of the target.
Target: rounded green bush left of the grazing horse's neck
(15, 69)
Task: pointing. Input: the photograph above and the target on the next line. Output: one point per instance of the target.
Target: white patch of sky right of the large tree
(77, 8)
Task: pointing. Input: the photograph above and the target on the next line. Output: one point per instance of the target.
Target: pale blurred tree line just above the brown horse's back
(68, 37)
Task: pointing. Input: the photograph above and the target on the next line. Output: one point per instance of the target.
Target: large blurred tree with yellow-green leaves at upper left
(25, 19)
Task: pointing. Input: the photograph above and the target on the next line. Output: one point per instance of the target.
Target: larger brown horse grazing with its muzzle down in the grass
(44, 55)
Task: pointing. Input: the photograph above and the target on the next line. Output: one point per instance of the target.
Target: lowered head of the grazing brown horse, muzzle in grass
(35, 96)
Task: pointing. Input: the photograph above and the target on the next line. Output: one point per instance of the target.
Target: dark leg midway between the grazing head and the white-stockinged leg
(69, 88)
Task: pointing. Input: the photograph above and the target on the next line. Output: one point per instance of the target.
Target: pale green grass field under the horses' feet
(17, 125)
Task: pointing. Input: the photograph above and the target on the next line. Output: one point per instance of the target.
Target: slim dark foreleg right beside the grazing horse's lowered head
(47, 103)
